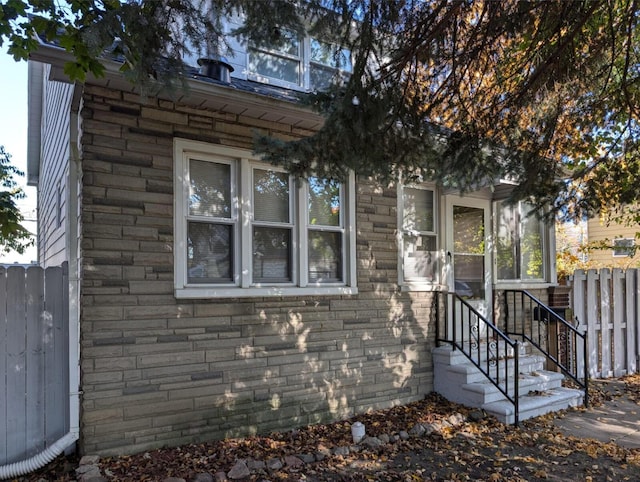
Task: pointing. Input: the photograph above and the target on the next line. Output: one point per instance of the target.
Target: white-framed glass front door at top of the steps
(468, 251)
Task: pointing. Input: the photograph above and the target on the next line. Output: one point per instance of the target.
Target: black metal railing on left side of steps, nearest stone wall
(483, 343)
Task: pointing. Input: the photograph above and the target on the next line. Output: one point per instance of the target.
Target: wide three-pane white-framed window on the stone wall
(246, 228)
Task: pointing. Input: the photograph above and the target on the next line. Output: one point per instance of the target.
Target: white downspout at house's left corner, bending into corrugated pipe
(58, 447)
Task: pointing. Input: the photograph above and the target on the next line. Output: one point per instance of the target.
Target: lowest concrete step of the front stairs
(535, 404)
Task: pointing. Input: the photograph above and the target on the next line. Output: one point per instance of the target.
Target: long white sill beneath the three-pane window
(227, 292)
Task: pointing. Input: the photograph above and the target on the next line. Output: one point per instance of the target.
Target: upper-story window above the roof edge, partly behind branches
(298, 62)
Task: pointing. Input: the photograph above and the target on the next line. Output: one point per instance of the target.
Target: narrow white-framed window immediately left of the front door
(418, 227)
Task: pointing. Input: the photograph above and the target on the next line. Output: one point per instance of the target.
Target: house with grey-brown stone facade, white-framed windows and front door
(215, 295)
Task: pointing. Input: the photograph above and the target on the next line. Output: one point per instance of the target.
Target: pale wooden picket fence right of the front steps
(606, 304)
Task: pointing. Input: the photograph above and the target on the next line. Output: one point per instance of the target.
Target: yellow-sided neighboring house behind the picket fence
(622, 242)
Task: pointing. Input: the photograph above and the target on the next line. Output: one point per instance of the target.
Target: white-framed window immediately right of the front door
(520, 242)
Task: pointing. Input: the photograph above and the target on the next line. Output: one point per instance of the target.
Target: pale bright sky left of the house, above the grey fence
(13, 136)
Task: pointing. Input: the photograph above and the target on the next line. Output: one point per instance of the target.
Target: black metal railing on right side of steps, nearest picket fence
(547, 330)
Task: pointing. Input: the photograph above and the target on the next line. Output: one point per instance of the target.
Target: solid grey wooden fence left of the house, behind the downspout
(34, 365)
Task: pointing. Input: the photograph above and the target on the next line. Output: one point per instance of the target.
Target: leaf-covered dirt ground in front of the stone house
(476, 449)
